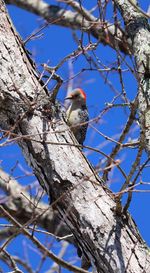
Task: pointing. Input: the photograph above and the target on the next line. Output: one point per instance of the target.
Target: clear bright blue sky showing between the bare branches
(54, 44)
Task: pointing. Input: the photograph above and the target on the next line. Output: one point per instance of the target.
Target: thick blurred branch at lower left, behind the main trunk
(23, 207)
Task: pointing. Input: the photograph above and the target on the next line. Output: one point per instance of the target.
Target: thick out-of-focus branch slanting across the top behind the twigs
(104, 32)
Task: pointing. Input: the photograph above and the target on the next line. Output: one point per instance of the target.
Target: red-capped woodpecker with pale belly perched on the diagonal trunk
(77, 116)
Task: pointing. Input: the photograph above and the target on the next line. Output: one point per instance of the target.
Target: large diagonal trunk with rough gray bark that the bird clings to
(110, 241)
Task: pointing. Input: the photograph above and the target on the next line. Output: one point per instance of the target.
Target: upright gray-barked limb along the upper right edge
(138, 30)
